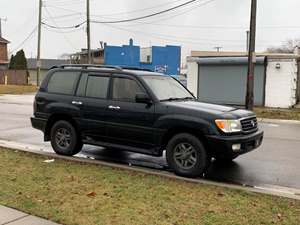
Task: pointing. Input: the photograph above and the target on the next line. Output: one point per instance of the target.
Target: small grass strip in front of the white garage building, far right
(284, 114)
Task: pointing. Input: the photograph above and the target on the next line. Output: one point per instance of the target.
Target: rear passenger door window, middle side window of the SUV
(97, 86)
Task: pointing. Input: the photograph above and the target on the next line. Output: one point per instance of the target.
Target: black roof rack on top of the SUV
(86, 66)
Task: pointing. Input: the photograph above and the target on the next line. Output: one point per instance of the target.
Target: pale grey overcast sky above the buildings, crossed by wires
(200, 26)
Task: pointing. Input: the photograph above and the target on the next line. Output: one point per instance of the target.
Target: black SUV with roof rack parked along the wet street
(139, 111)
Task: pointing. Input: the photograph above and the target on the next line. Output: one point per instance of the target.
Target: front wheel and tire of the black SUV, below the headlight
(187, 156)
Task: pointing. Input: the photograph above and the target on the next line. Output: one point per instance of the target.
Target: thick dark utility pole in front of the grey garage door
(251, 58)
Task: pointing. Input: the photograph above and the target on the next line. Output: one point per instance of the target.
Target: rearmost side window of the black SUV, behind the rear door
(63, 82)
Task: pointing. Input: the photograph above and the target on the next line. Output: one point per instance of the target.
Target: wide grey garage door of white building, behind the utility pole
(223, 80)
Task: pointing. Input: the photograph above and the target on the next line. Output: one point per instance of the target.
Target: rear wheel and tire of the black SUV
(64, 139)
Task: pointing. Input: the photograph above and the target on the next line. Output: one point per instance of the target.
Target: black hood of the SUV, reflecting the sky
(219, 111)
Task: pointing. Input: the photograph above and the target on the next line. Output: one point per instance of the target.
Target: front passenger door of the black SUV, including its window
(129, 123)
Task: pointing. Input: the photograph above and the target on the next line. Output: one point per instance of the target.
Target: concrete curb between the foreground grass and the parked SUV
(275, 191)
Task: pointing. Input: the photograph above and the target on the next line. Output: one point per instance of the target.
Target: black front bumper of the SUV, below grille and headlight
(221, 146)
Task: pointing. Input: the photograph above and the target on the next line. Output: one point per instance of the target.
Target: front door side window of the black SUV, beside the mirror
(125, 89)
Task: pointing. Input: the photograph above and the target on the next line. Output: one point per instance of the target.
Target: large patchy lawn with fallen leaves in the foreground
(75, 193)
